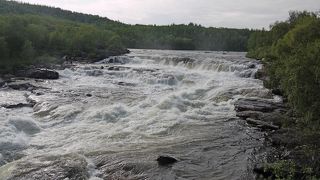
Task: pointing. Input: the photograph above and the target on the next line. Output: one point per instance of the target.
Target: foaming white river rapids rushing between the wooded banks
(113, 122)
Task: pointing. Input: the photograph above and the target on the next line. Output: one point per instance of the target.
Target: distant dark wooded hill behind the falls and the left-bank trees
(178, 37)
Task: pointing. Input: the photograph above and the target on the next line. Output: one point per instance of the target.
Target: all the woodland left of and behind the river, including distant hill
(31, 34)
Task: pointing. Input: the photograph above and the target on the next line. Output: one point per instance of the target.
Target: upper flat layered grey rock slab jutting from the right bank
(256, 105)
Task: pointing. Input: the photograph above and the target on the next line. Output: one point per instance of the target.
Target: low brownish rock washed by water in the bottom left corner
(71, 167)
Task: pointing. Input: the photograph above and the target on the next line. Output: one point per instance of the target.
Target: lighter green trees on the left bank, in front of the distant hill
(31, 39)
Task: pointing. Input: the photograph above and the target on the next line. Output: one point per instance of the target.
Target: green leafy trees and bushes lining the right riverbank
(290, 52)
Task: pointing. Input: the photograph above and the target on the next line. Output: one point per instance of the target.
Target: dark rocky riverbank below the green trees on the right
(287, 153)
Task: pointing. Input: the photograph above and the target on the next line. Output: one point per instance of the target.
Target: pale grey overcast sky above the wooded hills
(215, 13)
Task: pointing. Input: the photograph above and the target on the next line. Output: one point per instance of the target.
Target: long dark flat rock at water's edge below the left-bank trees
(38, 74)
